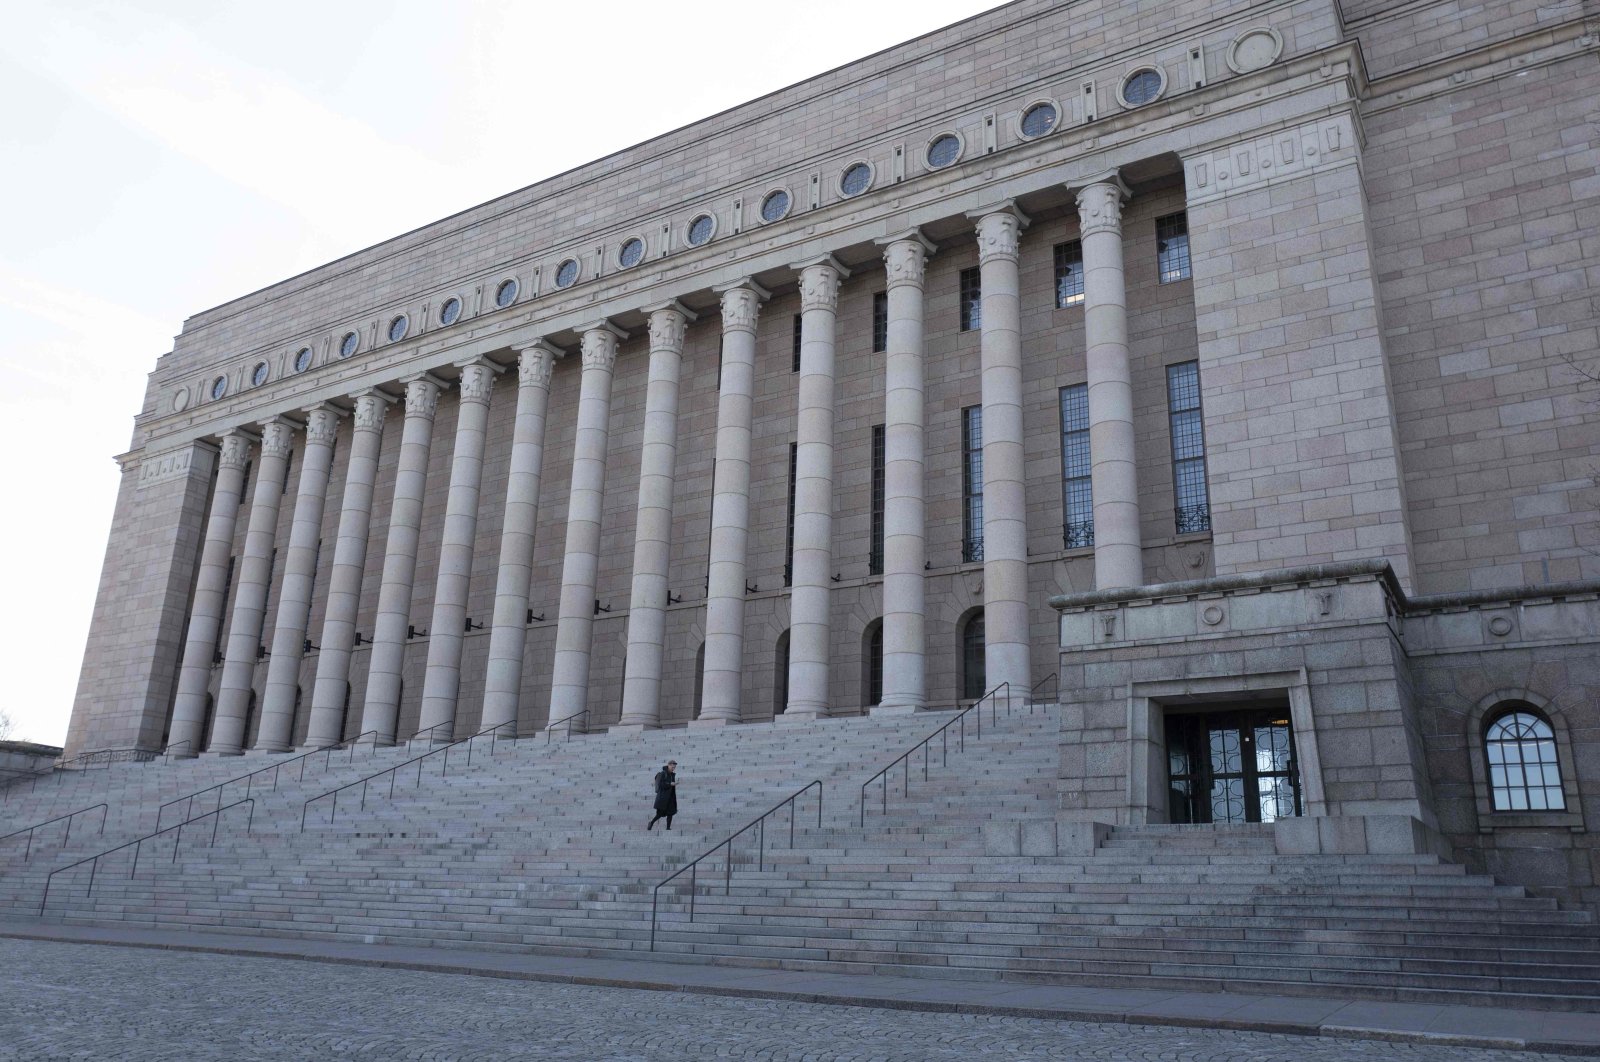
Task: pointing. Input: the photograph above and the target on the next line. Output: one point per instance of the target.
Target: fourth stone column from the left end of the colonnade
(345, 580)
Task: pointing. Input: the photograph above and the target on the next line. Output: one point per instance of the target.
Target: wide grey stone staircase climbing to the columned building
(543, 848)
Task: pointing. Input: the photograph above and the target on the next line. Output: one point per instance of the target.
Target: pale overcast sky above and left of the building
(162, 158)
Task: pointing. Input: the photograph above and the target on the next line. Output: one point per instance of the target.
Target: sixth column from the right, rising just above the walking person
(647, 612)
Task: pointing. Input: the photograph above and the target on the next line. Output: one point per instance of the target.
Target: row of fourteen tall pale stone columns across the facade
(905, 634)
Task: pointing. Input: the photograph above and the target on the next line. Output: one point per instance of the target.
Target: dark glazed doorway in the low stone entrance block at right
(1231, 767)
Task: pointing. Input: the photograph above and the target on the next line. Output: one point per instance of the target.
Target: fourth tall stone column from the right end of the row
(814, 556)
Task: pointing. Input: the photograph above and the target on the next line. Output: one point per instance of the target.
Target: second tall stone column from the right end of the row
(1006, 501)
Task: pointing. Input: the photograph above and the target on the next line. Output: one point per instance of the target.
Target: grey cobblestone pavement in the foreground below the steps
(76, 1002)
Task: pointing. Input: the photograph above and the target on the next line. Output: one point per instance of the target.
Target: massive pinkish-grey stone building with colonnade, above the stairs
(1226, 364)
